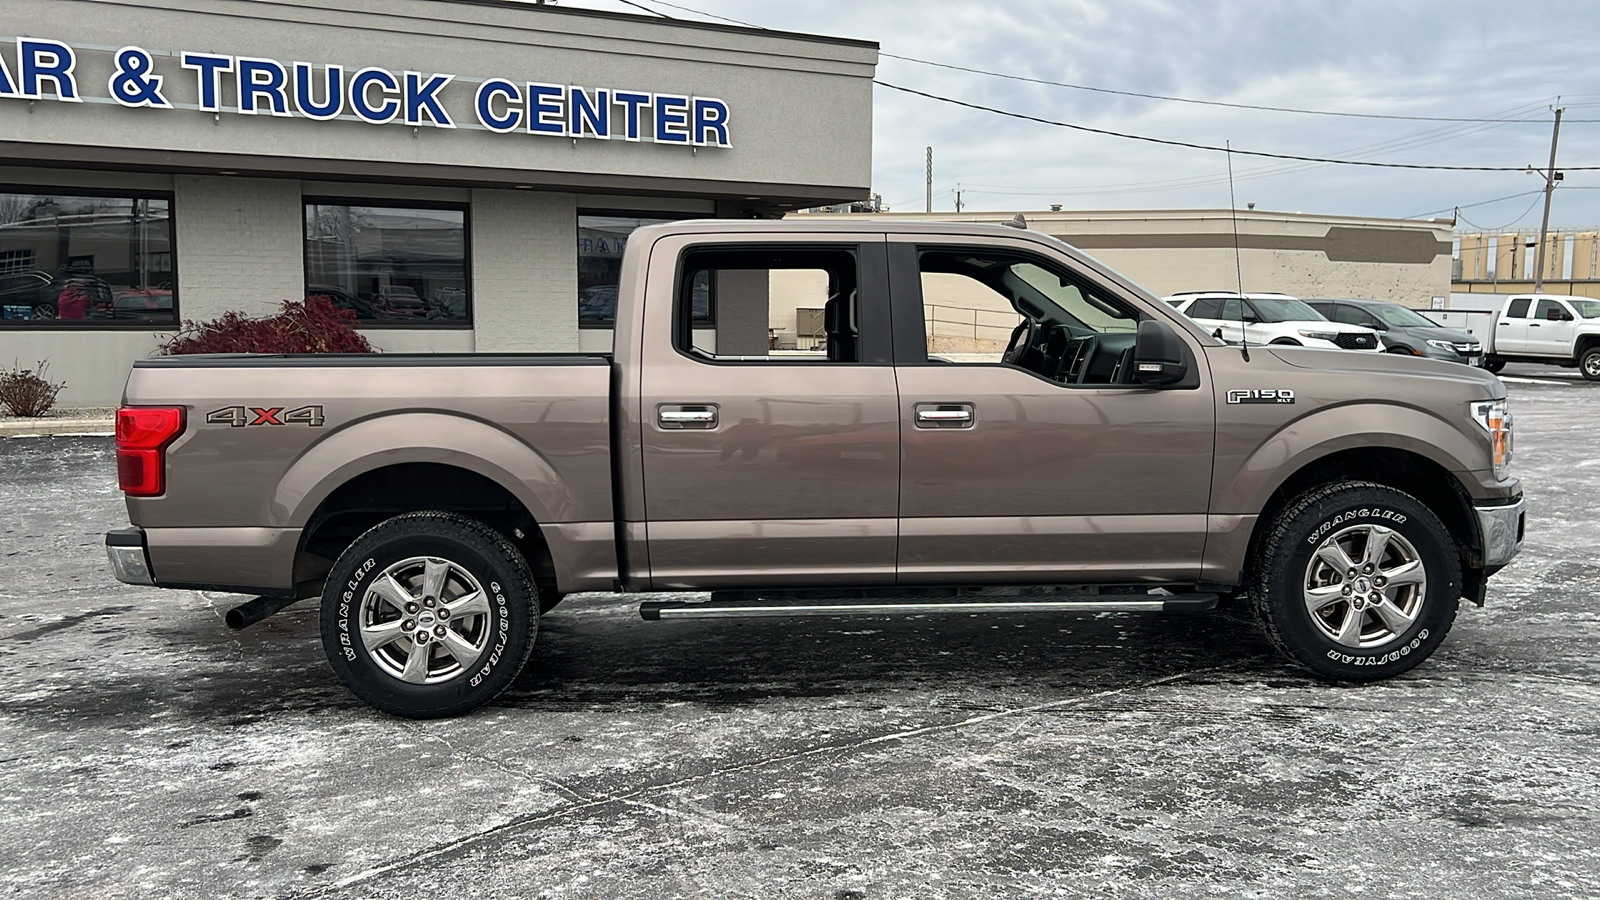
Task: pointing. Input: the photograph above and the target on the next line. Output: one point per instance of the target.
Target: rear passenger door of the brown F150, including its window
(769, 414)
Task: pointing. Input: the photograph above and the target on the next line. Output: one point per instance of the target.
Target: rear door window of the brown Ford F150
(770, 305)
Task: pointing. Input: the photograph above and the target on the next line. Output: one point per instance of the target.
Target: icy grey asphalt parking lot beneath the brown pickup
(148, 752)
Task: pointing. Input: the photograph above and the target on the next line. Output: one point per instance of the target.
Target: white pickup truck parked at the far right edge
(1553, 331)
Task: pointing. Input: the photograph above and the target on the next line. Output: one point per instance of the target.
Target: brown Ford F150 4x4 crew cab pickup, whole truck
(841, 417)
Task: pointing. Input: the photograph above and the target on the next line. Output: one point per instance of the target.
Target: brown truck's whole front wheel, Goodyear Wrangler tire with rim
(1348, 638)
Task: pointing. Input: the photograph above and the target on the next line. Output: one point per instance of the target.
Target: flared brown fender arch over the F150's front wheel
(1330, 430)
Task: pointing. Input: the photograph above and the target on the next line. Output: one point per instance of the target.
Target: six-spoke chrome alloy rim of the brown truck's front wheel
(1366, 587)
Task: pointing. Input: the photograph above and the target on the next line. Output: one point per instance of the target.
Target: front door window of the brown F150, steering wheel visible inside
(1012, 310)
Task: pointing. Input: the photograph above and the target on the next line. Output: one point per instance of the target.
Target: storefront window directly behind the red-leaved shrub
(390, 265)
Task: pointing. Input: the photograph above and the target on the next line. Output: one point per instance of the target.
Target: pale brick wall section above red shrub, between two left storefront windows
(241, 244)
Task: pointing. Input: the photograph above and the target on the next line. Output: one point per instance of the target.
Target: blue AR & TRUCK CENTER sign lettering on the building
(46, 70)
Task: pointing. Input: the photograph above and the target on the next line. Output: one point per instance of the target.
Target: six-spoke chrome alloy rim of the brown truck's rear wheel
(425, 621)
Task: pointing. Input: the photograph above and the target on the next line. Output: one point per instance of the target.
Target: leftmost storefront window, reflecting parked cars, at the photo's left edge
(70, 260)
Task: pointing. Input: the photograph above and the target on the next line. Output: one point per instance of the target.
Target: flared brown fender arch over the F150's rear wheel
(420, 438)
